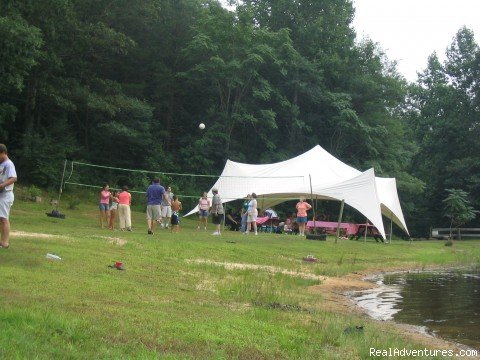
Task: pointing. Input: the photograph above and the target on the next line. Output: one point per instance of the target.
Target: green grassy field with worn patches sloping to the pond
(180, 296)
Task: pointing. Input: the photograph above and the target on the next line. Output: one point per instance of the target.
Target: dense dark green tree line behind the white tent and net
(126, 84)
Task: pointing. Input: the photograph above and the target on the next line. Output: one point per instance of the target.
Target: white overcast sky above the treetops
(411, 30)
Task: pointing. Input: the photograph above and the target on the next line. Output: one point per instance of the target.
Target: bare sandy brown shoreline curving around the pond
(337, 292)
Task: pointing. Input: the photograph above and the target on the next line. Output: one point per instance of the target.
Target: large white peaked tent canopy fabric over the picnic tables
(315, 172)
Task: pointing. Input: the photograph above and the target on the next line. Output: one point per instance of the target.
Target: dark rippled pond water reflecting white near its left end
(446, 304)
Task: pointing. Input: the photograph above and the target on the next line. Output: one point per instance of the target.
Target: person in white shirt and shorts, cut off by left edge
(8, 176)
